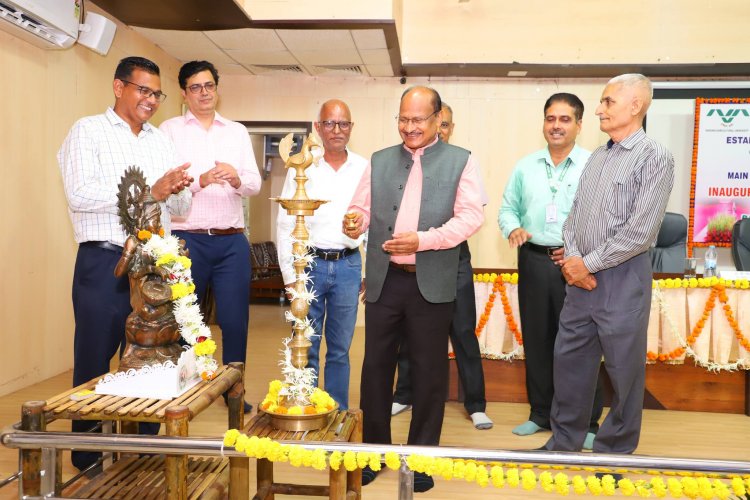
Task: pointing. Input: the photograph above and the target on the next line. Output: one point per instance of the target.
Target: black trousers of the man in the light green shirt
(541, 294)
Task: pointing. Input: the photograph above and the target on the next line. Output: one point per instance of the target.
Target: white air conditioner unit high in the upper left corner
(50, 24)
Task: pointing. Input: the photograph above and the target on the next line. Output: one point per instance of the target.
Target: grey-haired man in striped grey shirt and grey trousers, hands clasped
(615, 218)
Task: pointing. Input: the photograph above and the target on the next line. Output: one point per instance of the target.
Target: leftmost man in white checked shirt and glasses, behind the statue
(92, 160)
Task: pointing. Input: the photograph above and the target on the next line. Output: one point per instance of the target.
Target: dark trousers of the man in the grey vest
(402, 315)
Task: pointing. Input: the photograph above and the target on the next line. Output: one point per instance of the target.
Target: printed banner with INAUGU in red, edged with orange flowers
(720, 180)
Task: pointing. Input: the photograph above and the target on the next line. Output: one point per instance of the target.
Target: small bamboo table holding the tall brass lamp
(343, 426)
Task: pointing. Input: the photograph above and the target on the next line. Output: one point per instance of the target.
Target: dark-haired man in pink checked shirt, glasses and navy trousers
(223, 164)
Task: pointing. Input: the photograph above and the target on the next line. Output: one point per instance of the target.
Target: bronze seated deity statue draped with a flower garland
(151, 330)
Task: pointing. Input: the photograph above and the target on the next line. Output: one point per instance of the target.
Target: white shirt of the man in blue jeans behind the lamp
(324, 183)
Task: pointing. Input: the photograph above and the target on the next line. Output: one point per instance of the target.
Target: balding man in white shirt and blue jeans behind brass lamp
(336, 270)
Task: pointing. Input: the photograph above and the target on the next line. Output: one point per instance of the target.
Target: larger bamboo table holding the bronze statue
(173, 476)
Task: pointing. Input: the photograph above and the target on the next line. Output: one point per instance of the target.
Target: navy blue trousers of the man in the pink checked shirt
(224, 263)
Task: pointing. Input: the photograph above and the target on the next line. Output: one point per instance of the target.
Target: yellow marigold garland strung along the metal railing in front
(689, 485)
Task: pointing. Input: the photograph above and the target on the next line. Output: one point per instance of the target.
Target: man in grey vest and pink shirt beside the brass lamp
(420, 200)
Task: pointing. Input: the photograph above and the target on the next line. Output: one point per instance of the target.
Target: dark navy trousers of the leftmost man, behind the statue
(101, 304)
